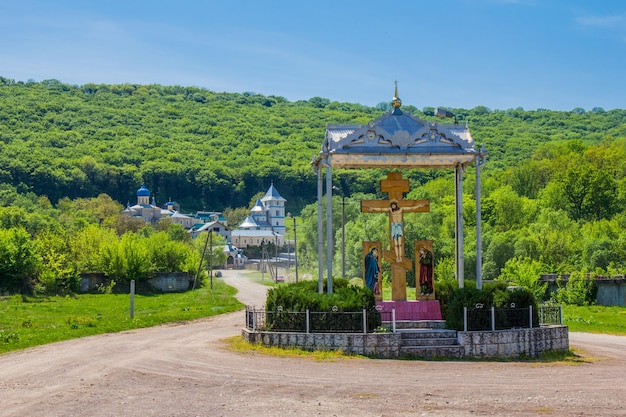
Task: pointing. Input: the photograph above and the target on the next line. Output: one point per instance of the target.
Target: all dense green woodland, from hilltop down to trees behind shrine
(553, 195)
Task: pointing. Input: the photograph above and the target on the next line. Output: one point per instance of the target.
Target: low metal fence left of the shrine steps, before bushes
(312, 321)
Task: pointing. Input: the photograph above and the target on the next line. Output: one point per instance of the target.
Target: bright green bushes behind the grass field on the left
(49, 263)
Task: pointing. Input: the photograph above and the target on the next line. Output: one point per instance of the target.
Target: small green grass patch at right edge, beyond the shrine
(595, 319)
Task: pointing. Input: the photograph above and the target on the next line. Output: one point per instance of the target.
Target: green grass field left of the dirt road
(32, 321)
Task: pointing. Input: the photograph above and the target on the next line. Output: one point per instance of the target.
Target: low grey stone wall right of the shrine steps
(514, 343)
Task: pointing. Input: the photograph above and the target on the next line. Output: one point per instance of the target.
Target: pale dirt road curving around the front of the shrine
(186, 370)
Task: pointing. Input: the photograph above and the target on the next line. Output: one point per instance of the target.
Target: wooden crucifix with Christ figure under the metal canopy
(395, 187)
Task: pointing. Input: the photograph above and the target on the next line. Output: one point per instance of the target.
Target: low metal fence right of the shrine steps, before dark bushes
(480, 317)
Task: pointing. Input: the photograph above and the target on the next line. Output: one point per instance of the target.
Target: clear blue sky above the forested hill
(554, 54)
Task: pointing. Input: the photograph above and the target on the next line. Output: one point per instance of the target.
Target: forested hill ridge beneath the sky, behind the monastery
(209, 150)
